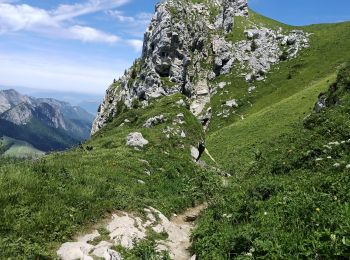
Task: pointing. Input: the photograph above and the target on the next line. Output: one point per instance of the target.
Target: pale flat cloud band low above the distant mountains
(57, 73)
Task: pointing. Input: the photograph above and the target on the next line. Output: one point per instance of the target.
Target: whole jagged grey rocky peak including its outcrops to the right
(185, 49)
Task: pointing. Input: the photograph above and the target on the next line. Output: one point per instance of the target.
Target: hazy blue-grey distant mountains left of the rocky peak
(46, 124)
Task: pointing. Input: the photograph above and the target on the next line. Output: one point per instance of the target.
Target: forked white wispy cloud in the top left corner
(58, 22)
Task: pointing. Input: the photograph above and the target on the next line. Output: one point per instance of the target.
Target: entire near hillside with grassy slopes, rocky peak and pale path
(219, 111)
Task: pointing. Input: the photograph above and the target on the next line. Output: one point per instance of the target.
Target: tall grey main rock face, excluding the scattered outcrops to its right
(173, 51)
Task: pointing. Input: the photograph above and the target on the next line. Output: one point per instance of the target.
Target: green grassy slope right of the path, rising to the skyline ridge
(290, 191)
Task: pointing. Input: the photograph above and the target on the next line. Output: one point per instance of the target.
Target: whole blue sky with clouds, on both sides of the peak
(81, 45)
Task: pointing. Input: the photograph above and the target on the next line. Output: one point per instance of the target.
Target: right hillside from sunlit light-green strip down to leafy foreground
(291, 198)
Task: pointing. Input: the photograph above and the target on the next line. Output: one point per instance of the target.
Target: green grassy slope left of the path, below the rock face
(60, 194)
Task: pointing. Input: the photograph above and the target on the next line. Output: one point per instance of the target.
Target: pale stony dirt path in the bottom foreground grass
(124, 229)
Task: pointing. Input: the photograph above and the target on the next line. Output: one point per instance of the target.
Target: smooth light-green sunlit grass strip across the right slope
(234, 146)
